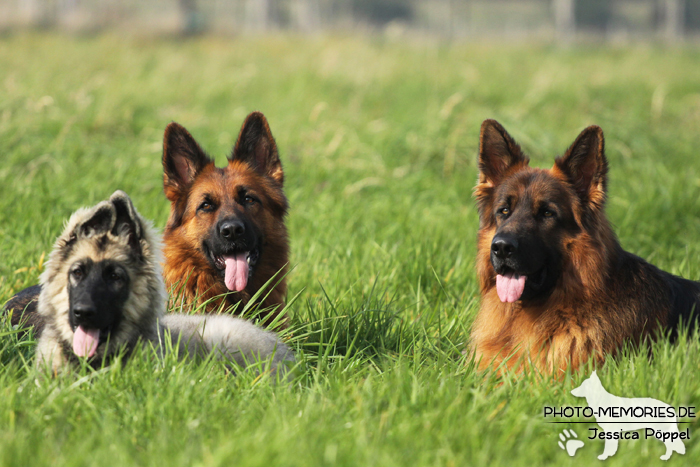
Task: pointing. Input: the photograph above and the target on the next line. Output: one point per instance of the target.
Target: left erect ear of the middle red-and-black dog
(182, 160)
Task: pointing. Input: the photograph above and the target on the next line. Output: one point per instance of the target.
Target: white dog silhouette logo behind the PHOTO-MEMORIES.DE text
(616, 415)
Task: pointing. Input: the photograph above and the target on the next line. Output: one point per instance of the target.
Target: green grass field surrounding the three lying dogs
(378, 140)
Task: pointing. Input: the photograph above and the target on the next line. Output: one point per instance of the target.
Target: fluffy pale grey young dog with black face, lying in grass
(102, 293)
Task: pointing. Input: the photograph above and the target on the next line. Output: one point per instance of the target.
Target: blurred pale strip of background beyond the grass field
(566, 20)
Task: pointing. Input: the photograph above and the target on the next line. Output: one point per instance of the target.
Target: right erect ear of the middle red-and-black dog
(257, 147)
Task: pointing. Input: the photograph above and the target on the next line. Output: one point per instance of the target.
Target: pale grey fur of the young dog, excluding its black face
(114, 231)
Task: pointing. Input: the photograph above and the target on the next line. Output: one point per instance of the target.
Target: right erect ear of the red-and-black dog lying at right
(585, 166)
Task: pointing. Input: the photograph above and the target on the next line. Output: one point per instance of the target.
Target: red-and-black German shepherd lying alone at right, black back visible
(557, 289)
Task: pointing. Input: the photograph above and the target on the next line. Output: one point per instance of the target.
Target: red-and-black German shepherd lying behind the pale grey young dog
(226, 237)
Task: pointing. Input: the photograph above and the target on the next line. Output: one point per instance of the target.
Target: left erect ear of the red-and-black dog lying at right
(498, 153)
